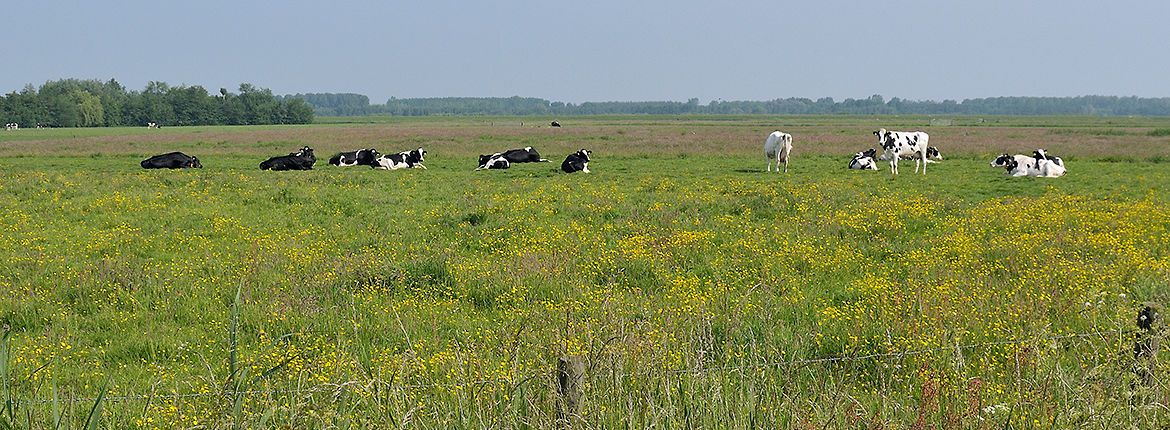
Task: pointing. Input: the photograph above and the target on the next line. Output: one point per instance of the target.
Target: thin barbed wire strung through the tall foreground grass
(552, 373)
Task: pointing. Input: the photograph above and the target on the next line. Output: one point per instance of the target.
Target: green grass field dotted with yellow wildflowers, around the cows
(698, 290)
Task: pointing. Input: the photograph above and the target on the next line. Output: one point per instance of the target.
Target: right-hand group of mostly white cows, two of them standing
(900, 145)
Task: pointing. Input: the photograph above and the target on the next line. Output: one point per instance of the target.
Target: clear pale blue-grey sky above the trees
(600, 51)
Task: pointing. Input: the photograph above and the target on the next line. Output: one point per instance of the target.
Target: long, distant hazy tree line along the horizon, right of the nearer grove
(352, 105)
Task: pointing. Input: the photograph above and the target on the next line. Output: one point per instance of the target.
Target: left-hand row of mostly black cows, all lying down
(305, 161)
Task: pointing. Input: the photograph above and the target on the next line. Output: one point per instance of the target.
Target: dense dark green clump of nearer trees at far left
(92, 103)
